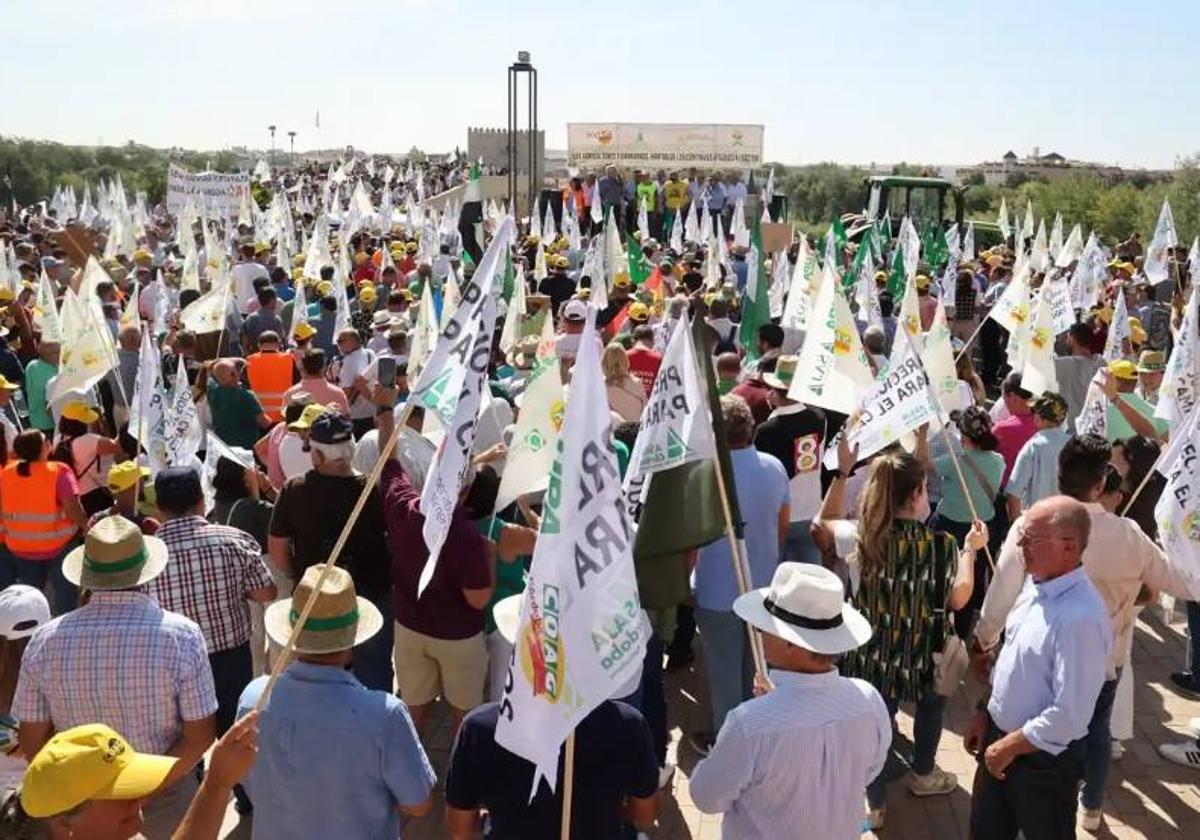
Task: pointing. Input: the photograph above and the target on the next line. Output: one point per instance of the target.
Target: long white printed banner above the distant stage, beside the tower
(664, 146)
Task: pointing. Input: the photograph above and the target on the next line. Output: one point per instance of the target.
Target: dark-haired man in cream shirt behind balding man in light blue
(1119, 561)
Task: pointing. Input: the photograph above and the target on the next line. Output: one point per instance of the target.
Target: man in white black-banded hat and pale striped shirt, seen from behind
(803, 753)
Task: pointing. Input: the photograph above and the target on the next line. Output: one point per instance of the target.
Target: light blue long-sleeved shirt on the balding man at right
(1054, 662)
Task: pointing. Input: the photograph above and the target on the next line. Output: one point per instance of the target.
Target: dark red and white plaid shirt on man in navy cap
(211, 573)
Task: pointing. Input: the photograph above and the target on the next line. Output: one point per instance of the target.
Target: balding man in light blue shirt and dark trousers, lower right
(1030, 735)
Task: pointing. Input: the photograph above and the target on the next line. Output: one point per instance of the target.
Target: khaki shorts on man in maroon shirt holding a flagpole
(428, 668)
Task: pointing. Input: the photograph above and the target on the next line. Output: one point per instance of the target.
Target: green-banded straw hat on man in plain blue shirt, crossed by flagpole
(339, 621)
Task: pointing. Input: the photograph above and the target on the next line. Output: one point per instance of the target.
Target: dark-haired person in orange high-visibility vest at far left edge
(43, 517)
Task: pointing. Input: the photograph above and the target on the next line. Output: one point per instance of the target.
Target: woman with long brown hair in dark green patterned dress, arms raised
(910, 579)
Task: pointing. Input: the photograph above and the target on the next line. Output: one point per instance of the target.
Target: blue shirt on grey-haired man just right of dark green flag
(763, 490)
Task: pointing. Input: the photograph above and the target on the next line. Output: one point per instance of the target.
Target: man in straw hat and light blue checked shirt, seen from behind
(124, 661)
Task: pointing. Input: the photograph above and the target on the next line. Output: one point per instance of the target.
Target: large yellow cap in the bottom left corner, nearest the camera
(89, 763)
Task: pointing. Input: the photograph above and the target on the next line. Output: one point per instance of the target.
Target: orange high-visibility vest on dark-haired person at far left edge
(34, 523)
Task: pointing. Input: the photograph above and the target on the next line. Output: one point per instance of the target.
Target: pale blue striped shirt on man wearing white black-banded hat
(801, 755)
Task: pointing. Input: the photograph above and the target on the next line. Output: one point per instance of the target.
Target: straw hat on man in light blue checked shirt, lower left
(116, 556)
